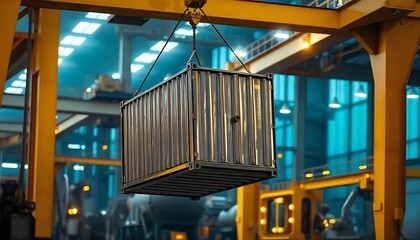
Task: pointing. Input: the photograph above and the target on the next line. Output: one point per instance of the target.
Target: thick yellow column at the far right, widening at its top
(398, 42)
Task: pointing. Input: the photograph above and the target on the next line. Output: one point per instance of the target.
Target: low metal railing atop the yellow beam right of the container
(338, 169)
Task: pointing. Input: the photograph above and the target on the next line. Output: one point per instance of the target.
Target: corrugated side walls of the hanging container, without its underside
(199, 115)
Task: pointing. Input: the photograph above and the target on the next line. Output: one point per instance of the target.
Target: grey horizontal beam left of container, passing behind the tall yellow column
(66, 105)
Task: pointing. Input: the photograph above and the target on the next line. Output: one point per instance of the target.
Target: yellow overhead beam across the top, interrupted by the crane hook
(249, 13)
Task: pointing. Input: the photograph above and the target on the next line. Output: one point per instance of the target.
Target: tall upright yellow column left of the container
(42, 129)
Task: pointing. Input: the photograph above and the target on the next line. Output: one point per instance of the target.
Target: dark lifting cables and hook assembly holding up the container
(194, 19)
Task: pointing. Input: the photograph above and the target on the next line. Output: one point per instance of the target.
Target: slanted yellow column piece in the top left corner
(8, 19)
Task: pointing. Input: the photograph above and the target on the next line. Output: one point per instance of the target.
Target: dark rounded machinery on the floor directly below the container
(159, 217)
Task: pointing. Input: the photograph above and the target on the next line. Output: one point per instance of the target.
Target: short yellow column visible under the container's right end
(247, 217)
